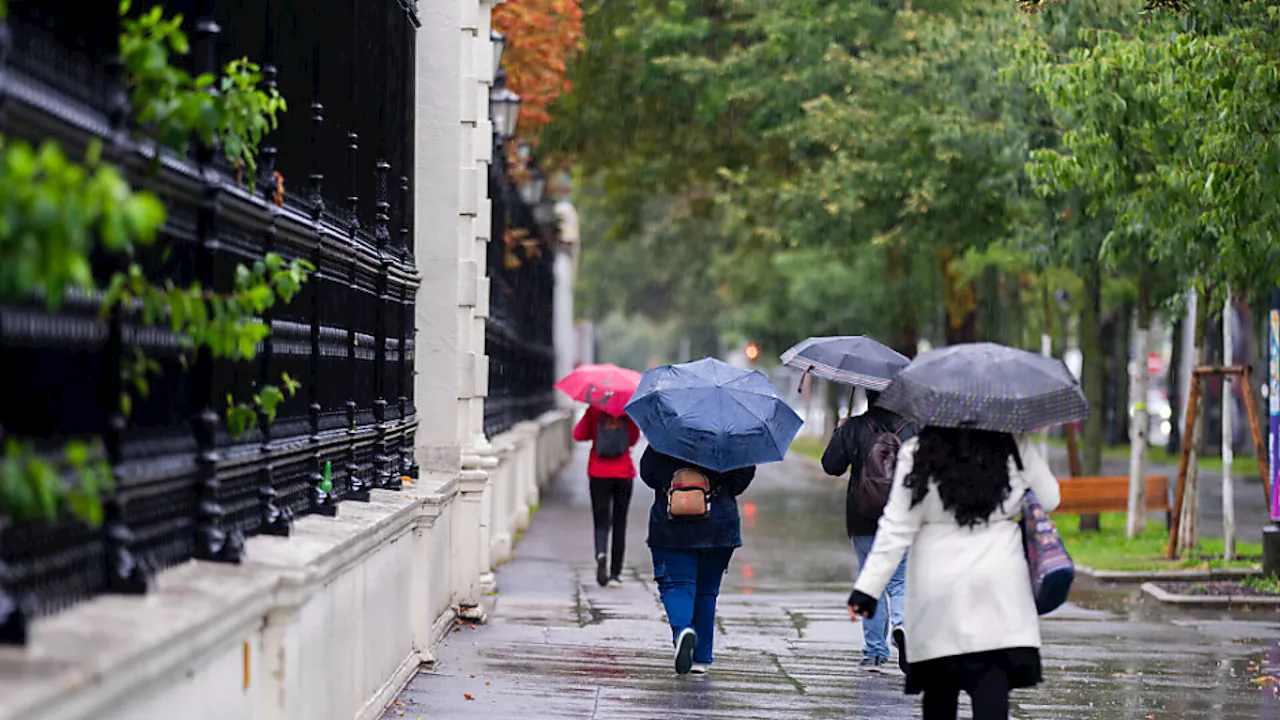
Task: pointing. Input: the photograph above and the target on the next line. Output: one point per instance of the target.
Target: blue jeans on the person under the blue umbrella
(689, 584)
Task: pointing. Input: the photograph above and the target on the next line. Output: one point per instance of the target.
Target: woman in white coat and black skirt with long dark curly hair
(971, 618)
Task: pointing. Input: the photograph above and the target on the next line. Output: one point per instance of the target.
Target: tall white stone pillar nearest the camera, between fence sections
(452, 225)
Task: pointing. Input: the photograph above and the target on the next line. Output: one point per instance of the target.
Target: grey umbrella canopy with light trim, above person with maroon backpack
(852, 361)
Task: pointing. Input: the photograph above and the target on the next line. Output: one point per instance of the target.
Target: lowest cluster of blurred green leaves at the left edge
(35, 489)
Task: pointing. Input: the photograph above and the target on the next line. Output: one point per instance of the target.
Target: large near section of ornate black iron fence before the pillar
(185, 486)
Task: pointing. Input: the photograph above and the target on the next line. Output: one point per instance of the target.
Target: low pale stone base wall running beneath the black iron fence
(328, 623)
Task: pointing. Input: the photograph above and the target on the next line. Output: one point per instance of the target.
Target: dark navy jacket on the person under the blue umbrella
(723, 530)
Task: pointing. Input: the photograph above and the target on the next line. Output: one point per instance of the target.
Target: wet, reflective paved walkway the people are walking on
(559, 646)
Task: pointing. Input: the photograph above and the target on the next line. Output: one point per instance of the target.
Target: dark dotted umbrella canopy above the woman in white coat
(988, 388)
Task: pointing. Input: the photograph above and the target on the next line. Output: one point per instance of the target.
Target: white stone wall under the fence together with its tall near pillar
(331, 622)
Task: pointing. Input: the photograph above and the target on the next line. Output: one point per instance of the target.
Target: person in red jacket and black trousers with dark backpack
(611, 472)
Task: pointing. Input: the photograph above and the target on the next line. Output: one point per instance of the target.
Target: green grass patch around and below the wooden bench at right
(1110, 550)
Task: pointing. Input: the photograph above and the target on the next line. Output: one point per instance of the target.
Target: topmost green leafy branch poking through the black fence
(232, 110)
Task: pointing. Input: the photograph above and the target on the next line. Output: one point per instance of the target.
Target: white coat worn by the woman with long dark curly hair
(968, 590)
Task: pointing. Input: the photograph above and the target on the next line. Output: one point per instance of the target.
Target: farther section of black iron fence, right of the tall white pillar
(519, 338)
